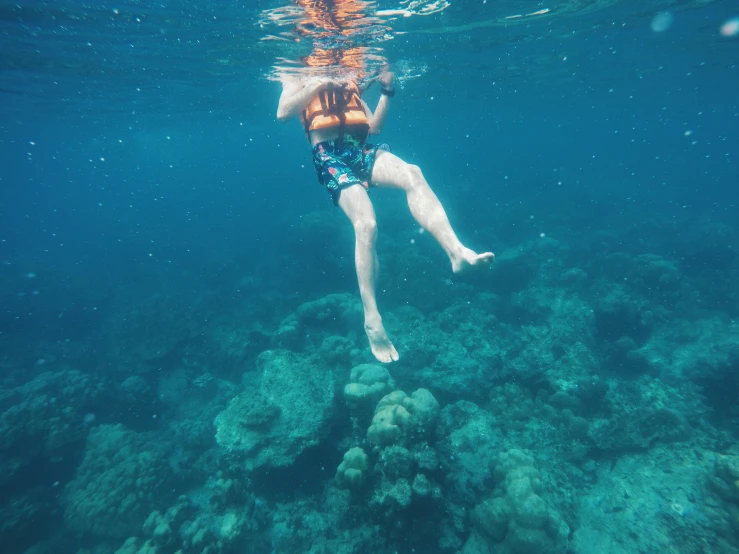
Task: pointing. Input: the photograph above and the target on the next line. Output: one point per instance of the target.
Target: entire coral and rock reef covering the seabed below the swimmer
(580, 398)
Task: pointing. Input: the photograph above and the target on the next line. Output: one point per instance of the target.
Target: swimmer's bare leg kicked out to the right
(392, 172)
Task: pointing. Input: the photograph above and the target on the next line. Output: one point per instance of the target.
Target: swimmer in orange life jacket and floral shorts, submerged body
(337, 123)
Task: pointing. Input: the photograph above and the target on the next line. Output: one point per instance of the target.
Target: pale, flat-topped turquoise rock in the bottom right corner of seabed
(657, 499)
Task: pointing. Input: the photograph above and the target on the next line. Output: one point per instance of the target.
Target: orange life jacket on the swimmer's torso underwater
(335, 106)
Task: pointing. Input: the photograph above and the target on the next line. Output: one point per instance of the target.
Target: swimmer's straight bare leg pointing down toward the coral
(357, 206)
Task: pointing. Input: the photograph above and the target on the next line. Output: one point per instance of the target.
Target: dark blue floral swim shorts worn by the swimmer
(340, 164)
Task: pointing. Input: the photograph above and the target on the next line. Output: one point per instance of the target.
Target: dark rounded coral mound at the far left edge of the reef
(43, 427)
